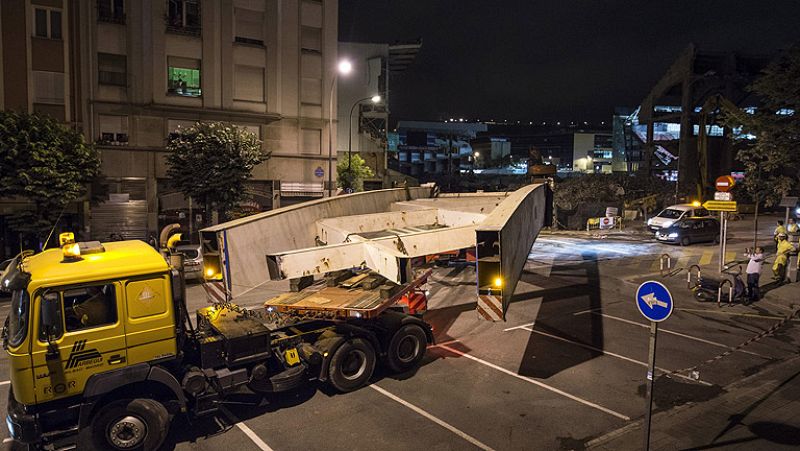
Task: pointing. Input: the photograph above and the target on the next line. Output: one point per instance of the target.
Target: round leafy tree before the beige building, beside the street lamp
(211, 161)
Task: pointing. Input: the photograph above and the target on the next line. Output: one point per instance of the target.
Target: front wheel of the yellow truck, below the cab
(138, 424)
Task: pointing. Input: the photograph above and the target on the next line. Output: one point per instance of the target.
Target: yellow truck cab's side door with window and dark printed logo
(89, 339)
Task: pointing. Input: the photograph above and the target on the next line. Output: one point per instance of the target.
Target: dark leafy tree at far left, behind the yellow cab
(46, 163)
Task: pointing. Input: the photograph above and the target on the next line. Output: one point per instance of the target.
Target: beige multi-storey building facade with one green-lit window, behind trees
(128, 73)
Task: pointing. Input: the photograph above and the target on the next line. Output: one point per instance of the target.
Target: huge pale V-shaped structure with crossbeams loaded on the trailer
(384, 231)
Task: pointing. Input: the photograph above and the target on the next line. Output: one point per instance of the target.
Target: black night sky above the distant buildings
(553, 60)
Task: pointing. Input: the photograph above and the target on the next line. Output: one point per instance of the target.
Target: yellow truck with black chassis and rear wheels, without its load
(103, 353)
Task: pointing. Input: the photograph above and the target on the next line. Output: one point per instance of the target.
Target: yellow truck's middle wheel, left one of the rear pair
(351, 365)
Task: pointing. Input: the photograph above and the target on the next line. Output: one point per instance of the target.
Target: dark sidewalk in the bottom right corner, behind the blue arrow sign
(761, 412)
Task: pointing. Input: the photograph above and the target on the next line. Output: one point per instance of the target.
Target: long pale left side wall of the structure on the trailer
(248, 240)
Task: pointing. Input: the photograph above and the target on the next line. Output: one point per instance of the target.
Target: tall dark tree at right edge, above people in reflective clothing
(771, 158)
